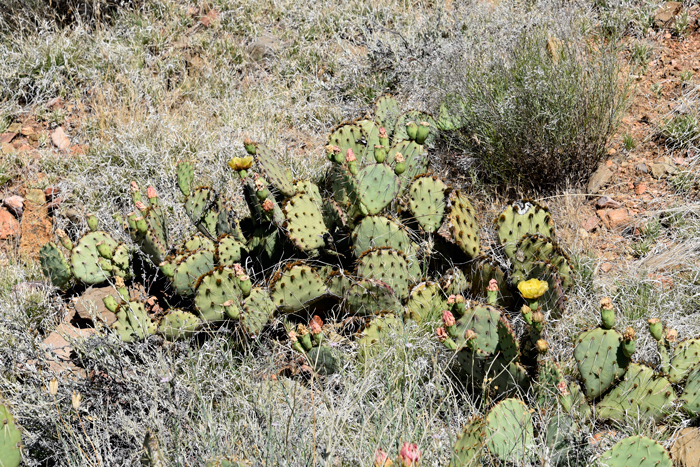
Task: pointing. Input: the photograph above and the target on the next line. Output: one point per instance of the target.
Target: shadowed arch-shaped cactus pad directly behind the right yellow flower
(534, 248)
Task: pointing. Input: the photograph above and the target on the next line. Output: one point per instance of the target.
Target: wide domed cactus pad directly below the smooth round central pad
(378, 231)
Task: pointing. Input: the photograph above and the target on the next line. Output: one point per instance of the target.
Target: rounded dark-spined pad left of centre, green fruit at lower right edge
(218, 295)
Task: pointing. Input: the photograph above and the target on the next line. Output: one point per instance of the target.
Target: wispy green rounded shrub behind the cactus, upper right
(540, 116)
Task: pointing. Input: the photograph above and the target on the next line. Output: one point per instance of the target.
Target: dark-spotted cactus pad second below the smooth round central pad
(387, 265)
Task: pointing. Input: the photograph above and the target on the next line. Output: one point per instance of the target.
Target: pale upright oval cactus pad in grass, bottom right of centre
(509, 430)
